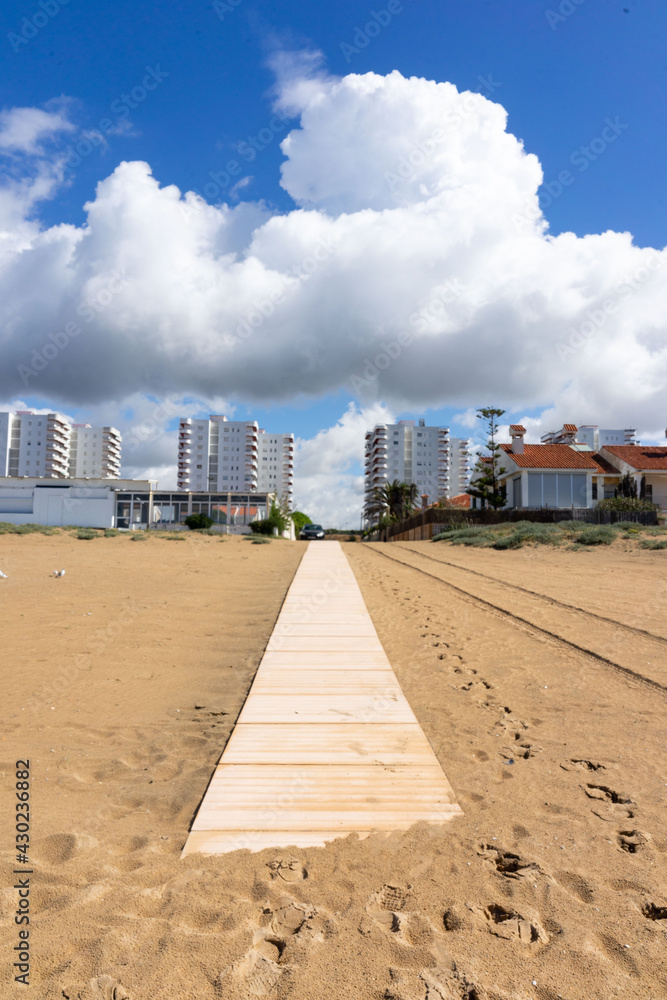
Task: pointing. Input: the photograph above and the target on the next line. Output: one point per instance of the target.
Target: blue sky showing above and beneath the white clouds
(583, 85)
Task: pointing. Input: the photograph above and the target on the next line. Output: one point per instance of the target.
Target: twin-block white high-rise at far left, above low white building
(46, 446)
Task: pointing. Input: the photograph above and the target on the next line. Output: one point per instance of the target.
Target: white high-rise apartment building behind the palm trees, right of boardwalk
(413, 453)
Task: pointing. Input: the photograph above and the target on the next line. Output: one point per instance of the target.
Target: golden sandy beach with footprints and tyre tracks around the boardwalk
(123, 680)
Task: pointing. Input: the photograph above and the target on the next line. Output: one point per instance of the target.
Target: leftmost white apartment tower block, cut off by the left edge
(34, 444)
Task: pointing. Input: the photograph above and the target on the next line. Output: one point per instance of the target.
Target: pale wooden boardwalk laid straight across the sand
(326, 743)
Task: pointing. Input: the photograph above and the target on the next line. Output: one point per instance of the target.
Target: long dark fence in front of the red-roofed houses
(425, 524)
